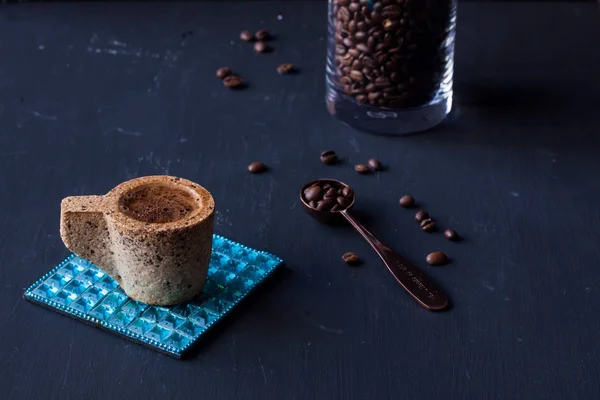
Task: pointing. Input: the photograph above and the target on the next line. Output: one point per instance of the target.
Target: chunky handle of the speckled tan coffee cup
(84, 230)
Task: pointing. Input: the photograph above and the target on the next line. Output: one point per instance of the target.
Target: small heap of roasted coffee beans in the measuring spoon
(328, 196)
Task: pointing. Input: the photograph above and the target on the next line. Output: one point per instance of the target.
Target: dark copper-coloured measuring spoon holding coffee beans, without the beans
(409, 276)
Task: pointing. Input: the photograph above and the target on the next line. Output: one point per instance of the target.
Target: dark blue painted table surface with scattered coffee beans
(95, 94)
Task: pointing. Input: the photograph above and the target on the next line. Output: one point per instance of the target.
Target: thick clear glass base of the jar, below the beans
(389, 121)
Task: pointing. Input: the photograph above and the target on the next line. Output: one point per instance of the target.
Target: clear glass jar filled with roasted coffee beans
(390, 63)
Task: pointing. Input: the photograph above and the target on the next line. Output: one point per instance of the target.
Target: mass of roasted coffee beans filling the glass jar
(390, 53)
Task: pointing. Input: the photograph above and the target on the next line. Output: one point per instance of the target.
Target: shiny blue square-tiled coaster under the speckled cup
(81, 290)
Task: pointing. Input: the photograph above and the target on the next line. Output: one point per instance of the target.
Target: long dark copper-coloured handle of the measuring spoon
(409, 276)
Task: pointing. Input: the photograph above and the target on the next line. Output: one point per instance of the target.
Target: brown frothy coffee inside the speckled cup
(158, 203)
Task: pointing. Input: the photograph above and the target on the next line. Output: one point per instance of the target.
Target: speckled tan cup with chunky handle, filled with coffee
(153, 235)
